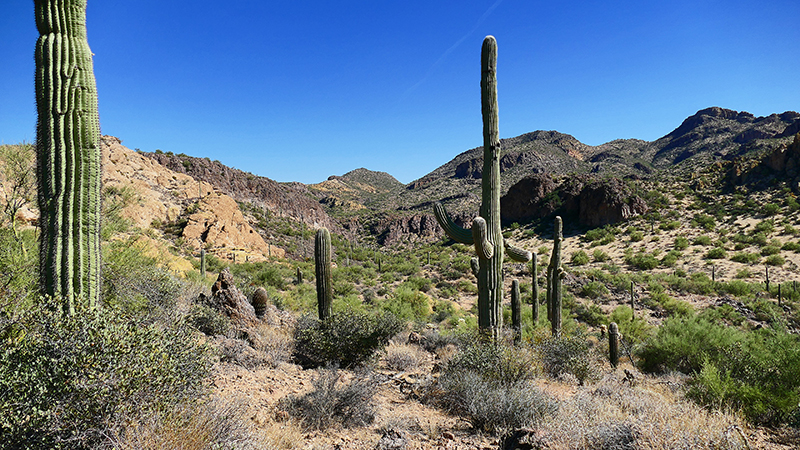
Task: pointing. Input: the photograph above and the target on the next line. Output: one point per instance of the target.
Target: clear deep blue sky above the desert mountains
(300, 90)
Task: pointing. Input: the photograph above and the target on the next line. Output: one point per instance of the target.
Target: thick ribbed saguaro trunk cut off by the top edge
(68, 155)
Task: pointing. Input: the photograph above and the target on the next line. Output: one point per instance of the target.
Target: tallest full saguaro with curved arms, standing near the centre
(486, 234)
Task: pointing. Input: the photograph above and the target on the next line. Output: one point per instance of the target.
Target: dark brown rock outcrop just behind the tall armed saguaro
(594, 201)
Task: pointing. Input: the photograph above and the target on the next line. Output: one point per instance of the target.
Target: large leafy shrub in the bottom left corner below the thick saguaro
(65, 378)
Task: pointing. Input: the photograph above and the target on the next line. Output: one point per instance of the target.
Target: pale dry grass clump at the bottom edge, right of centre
(614, 415)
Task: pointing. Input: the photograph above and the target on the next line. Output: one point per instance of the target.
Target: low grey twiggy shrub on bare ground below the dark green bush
(330, 403)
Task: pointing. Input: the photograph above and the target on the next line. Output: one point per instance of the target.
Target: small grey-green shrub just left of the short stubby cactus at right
(569, 353)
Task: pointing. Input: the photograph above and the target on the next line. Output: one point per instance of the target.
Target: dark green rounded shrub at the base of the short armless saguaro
(348, 338)
